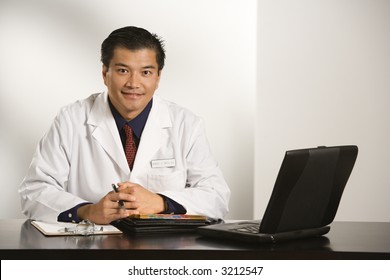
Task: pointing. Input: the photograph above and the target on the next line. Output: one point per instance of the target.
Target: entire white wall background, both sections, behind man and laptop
(323, 69)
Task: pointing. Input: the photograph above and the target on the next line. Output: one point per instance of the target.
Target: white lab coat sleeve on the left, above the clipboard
(43, 191)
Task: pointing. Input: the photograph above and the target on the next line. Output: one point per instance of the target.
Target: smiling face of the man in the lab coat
(131, 79)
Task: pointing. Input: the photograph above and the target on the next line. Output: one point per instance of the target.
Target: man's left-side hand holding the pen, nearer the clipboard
(107, 209)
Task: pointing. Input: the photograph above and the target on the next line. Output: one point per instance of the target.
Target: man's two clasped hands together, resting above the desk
(137, 200)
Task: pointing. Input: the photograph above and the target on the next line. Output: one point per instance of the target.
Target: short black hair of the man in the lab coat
(132, 38)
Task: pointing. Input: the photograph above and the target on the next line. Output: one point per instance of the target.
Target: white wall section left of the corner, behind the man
(49, 55)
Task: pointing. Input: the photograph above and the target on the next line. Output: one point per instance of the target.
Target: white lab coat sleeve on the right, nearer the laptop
(206, 191)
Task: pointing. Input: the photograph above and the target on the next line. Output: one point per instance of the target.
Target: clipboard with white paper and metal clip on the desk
(66, 229)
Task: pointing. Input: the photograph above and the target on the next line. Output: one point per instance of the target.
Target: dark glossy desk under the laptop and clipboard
(346, 240)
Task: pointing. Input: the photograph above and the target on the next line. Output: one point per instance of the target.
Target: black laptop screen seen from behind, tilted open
(308, 188)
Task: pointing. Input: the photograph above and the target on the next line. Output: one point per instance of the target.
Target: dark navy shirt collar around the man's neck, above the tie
(137, 124)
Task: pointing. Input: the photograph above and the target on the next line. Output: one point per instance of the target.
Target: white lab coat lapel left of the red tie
(105, 131)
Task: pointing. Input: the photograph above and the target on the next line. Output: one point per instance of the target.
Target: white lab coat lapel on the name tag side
(153, 136)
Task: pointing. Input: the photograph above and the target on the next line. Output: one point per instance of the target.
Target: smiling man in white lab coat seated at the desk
(91, 145)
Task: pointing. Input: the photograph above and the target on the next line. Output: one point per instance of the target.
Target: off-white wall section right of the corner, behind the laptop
(324, 79)
